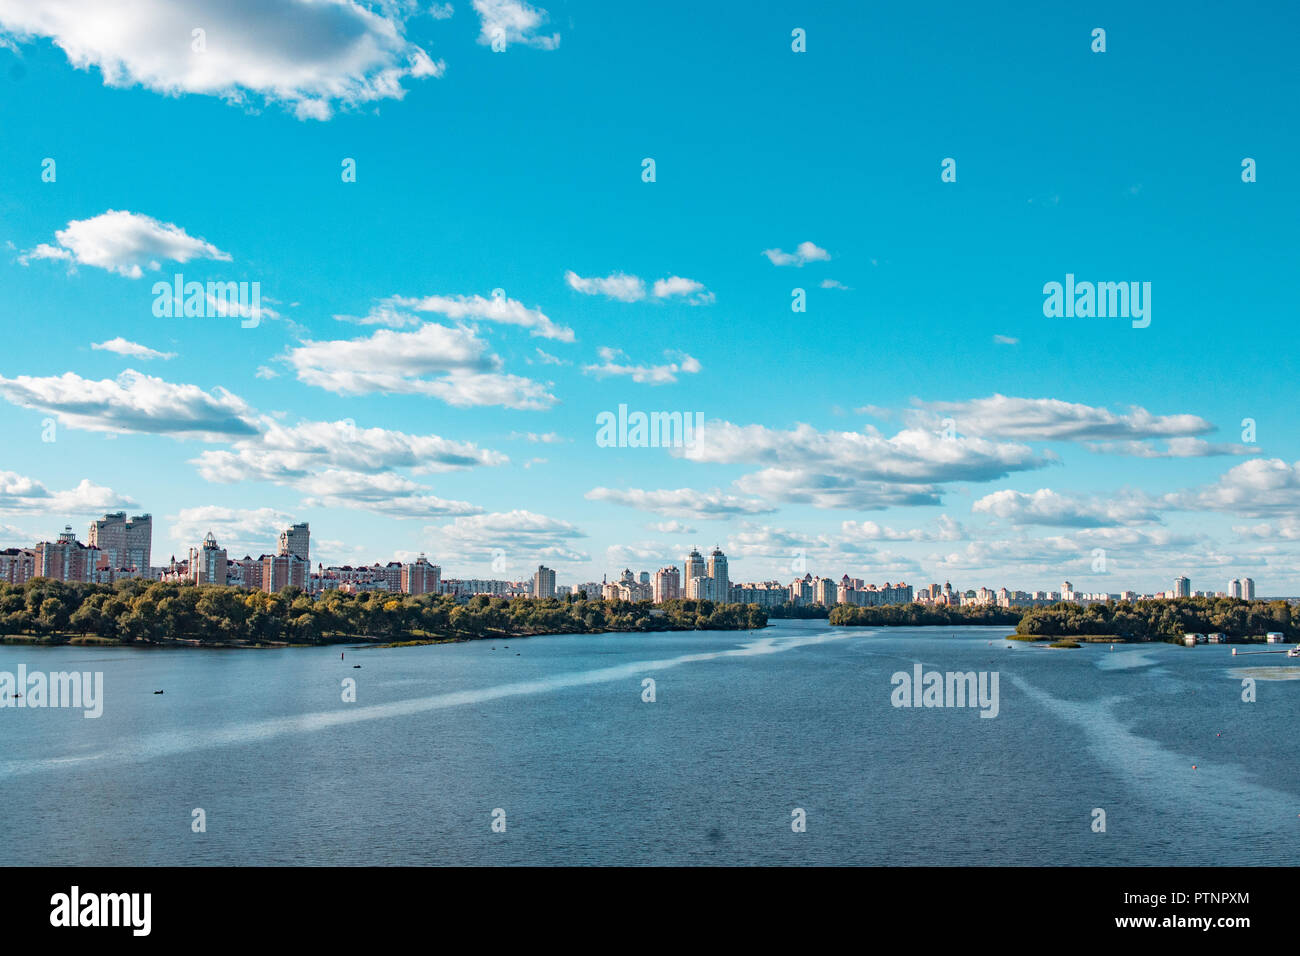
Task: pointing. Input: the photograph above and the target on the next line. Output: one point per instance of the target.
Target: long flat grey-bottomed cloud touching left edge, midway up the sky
(135, 403)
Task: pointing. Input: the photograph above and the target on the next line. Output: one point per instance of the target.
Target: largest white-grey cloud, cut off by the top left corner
(311, 58)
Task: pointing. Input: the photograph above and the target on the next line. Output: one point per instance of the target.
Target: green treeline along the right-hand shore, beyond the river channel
(1156, 620)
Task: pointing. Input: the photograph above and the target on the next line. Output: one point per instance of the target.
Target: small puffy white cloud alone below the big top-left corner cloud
(124, 243)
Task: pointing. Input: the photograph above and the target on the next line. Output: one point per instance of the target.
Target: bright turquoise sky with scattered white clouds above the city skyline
(463, 259)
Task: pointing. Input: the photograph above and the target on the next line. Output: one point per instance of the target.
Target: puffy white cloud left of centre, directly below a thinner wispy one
(448, 364)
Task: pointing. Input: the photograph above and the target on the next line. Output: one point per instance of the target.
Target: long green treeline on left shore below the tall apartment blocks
(155, 613)
